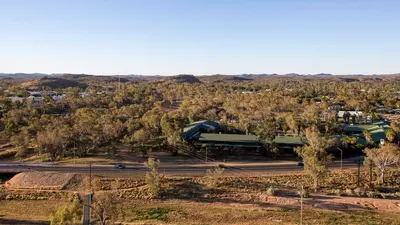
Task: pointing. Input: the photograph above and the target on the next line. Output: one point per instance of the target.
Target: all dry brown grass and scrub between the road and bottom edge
(237, 200)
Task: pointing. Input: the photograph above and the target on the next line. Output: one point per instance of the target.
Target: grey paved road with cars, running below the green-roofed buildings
(167, 169)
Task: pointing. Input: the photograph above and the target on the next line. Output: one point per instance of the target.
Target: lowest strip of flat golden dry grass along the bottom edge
(189, 212)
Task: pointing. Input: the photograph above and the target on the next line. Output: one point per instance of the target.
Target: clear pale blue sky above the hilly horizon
(200, 36)
